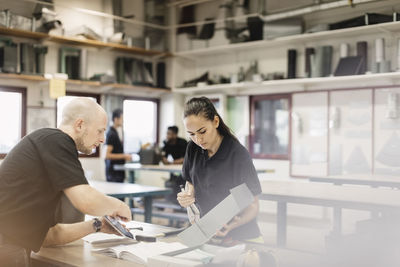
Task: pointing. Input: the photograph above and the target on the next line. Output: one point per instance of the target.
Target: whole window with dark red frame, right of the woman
(269, 136)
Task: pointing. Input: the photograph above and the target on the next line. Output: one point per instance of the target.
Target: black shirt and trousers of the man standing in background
(113, 140)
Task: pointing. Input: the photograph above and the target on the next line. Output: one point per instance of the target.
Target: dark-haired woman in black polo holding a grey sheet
(214, 163)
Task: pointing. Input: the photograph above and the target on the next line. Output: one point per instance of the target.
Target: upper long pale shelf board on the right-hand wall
(299, 39)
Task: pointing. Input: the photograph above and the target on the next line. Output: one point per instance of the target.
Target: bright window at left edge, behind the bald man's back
(12, 118)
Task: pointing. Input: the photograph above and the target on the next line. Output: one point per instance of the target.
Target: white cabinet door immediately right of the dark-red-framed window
(309, 134)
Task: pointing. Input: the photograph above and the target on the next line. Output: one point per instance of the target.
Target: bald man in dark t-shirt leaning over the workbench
(42, 166)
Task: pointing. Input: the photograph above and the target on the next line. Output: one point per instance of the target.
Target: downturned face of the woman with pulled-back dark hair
(203, 132)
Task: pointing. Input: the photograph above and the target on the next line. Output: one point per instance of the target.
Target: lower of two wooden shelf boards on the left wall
(93, 86)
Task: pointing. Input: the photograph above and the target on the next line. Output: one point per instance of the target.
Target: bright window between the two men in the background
(140, 123)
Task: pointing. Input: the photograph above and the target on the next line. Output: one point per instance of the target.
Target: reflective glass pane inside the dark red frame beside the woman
(271, 127)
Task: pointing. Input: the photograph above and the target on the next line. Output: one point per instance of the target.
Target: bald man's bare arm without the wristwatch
(90, 201)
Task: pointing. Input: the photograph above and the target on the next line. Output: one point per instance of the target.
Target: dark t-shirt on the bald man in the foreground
(32, 178)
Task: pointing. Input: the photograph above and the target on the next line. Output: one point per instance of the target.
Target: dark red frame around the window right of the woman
(253, 100)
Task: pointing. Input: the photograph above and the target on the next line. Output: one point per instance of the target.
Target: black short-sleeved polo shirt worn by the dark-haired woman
(213, 177)
